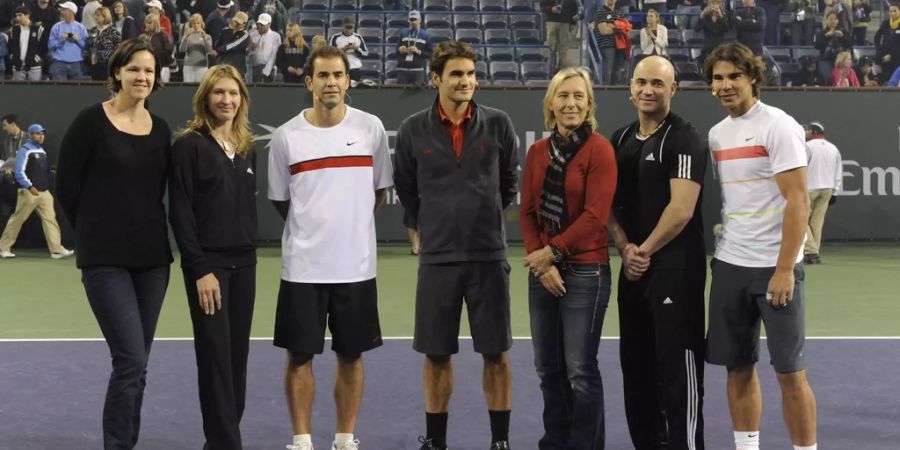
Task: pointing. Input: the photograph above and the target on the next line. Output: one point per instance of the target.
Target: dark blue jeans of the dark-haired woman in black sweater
(126, 303)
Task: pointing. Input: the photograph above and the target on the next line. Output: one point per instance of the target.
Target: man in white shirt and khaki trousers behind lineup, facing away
(825, 179)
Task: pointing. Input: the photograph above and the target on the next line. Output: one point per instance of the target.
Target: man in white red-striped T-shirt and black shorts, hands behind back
(329, 168)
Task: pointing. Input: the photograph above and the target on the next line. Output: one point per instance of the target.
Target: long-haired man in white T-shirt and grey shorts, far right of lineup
(757, 274)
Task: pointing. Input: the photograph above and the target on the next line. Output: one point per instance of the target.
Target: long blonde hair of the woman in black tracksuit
(203, 118)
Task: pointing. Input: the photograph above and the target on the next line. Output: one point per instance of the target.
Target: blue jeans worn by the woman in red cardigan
(566, 335)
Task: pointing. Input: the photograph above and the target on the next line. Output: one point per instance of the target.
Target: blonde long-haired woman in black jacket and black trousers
(212, 209)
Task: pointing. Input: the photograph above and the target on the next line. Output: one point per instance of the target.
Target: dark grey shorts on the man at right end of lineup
(737, 303)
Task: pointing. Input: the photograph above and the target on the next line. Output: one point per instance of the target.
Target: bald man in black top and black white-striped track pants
(658, 230)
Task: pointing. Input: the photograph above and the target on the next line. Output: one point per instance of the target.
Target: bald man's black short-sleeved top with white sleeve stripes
(646, 167)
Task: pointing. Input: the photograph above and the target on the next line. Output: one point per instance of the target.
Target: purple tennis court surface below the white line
(51, 396)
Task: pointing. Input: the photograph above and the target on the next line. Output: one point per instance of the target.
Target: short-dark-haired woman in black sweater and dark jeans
(111, 180)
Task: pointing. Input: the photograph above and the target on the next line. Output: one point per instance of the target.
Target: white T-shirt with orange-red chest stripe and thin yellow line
(747, 152)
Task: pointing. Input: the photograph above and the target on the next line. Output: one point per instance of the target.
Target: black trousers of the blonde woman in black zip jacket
(222, 343)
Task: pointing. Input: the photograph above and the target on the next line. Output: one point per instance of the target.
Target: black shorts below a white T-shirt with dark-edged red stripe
(350, 310)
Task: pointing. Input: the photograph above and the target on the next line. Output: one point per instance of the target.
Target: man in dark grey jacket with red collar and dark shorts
(456, 172)
